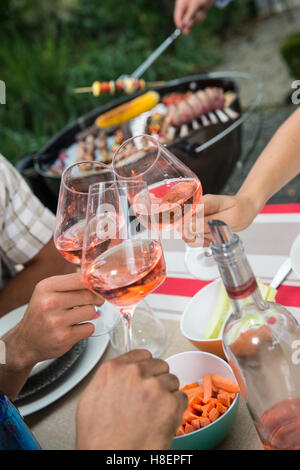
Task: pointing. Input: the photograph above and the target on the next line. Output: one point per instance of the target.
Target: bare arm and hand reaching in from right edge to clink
(278, 164)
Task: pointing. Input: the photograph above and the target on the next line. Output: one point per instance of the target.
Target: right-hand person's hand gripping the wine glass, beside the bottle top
(236, 211)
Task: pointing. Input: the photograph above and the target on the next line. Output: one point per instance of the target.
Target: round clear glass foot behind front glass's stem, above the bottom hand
(148, 332)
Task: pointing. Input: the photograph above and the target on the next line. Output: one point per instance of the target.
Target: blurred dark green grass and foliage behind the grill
(47, 48)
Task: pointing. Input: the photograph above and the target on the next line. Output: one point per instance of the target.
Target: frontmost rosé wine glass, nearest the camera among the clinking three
(122, 259)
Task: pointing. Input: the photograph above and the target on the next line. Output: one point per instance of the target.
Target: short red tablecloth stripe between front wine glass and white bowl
(181, 286)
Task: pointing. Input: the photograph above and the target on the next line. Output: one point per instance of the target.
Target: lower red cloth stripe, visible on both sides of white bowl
(287, 295)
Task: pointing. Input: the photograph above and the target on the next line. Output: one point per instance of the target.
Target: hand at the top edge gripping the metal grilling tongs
(188, 12)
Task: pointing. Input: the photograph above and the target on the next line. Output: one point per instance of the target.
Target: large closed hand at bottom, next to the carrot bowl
(131, 403)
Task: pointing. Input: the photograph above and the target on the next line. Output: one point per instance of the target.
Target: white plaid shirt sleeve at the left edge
(25, 224)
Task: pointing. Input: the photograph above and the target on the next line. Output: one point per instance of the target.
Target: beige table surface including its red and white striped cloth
(267, 242)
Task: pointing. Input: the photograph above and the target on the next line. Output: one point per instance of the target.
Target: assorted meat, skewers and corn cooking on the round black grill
(170, 117)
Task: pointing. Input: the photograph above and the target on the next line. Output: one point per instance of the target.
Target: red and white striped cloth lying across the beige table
(267, 243)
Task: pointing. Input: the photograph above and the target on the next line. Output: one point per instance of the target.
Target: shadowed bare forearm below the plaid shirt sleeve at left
(48, 262)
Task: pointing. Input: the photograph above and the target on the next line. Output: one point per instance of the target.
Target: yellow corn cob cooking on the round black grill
(127, 111)
